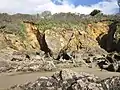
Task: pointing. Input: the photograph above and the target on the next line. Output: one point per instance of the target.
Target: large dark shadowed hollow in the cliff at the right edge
(108, 41)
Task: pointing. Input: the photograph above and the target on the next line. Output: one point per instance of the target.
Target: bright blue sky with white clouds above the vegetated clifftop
(56, 6)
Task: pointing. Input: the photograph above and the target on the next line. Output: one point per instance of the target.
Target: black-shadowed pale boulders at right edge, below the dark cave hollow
(111, 62)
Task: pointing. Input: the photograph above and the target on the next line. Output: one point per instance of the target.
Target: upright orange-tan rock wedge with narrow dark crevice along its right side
(36, 38)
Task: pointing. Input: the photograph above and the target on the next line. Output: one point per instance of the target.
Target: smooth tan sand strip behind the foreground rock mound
(9, 79)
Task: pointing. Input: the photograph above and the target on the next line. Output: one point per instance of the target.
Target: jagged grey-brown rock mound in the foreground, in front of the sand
(69, 80)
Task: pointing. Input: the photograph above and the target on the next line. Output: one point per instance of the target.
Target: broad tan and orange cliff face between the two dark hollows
(73, 40)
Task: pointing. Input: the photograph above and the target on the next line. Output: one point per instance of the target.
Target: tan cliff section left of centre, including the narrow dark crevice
(33, 39)
